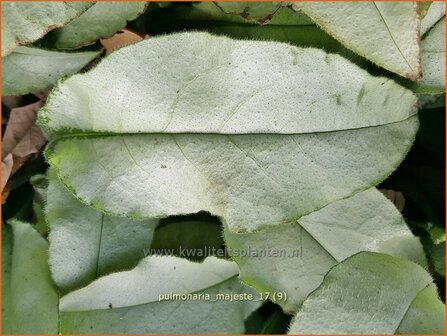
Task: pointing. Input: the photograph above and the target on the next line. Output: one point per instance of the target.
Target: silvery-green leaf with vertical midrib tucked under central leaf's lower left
(85, 243)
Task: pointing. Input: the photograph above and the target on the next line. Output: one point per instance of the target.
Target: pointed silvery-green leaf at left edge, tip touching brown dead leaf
(29, 70)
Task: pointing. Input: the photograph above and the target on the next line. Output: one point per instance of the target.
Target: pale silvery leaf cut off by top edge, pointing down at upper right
(386, 33)
